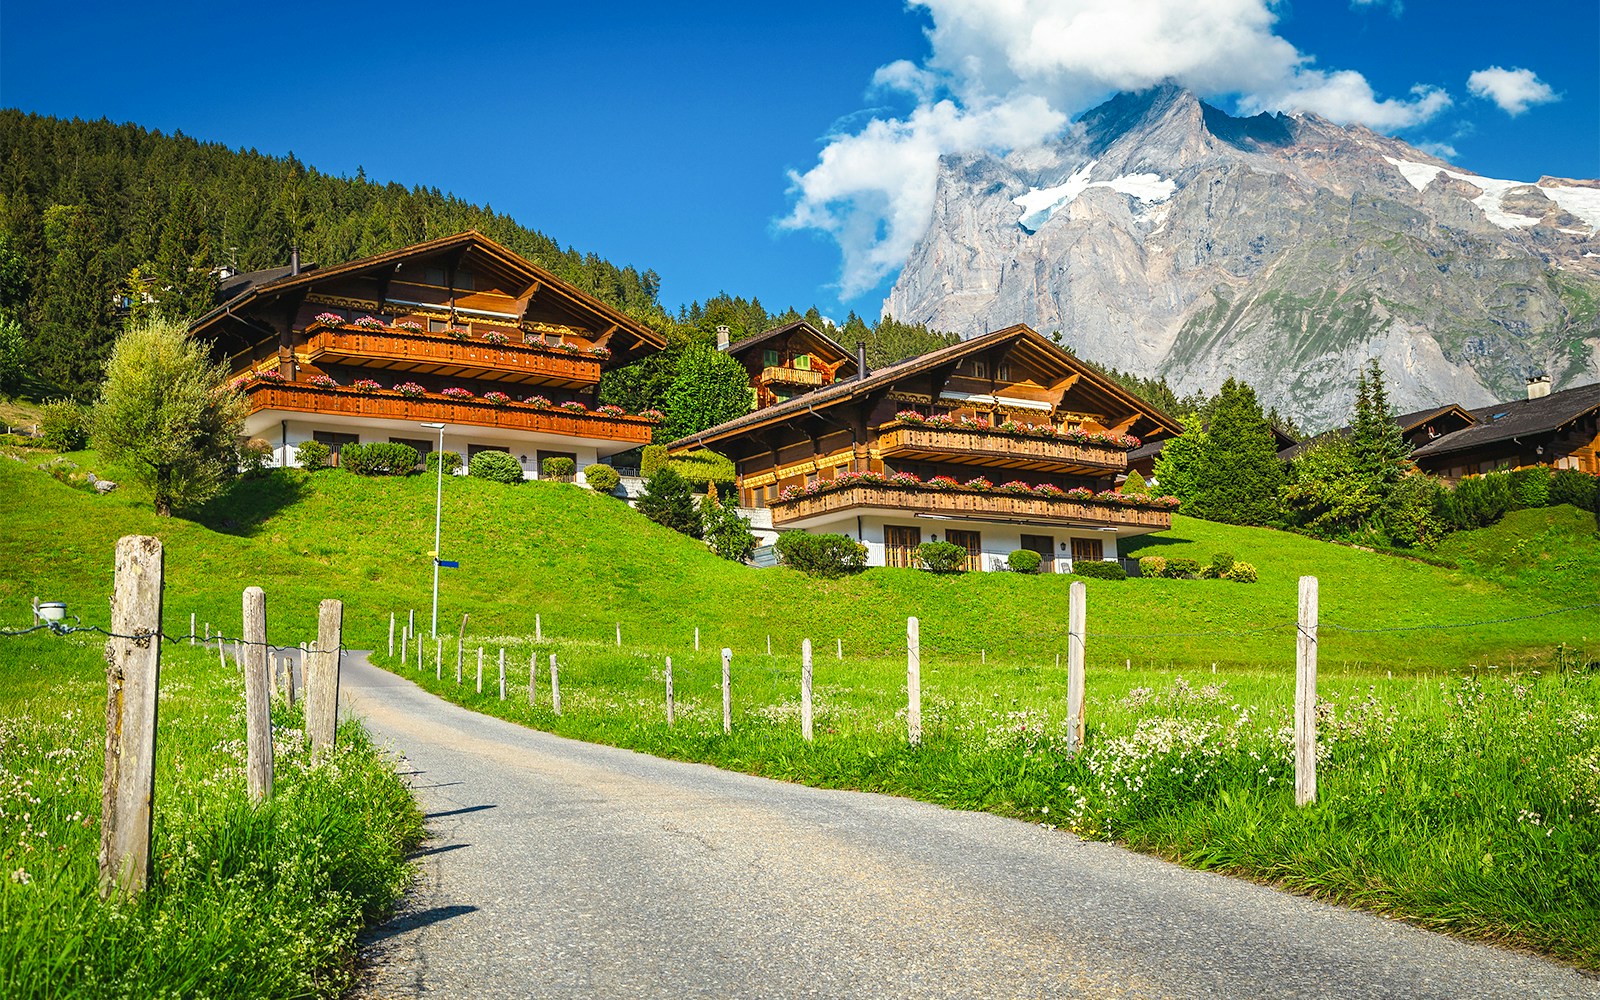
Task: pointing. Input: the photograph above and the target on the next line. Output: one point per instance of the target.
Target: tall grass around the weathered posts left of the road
(246, 902)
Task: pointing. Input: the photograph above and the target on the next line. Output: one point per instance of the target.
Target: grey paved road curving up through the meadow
(566, 870)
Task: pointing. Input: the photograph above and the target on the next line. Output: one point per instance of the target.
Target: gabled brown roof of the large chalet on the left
(260, 286)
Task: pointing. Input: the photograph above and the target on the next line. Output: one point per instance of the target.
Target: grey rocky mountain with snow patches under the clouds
(1166, 238)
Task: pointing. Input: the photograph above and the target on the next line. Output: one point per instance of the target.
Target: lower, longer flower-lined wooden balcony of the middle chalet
(975, 506)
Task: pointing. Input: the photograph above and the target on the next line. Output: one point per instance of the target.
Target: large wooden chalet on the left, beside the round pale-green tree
(458, 330)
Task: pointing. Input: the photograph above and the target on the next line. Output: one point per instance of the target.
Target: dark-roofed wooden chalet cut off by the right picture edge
(1559, 430)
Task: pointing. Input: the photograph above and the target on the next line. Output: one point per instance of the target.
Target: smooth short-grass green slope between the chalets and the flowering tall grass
(586, 564)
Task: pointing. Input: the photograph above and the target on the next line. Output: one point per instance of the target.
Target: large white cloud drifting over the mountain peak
(1006, 74)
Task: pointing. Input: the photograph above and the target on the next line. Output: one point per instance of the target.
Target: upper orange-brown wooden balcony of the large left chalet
(446, 356)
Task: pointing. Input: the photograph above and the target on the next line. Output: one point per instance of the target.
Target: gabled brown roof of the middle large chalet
(841, 393)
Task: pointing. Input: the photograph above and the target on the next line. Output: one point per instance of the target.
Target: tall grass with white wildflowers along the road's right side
(1463, 801)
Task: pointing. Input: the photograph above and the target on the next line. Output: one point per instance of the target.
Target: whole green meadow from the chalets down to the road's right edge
(1462, 766)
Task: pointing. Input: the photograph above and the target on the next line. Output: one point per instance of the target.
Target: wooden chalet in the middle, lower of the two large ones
(996, 444)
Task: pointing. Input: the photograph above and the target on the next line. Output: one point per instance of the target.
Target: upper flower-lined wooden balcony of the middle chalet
(999, 450)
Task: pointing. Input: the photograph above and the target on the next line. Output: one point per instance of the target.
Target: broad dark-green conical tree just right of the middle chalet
(1239, 474)
